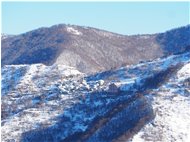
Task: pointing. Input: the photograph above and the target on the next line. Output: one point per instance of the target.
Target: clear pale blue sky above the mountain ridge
(120, 17)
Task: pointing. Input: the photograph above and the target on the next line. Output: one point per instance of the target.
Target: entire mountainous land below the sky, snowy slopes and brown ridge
(79, 84)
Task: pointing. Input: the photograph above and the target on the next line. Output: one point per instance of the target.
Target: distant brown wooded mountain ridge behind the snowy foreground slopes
(89, 49)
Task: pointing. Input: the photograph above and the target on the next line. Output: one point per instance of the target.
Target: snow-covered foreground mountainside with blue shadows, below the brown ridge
(148, 101)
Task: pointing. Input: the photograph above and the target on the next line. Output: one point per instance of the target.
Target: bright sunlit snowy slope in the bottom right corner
(172, 110)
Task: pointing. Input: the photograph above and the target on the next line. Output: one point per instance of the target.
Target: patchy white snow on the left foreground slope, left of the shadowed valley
(36, 80)
